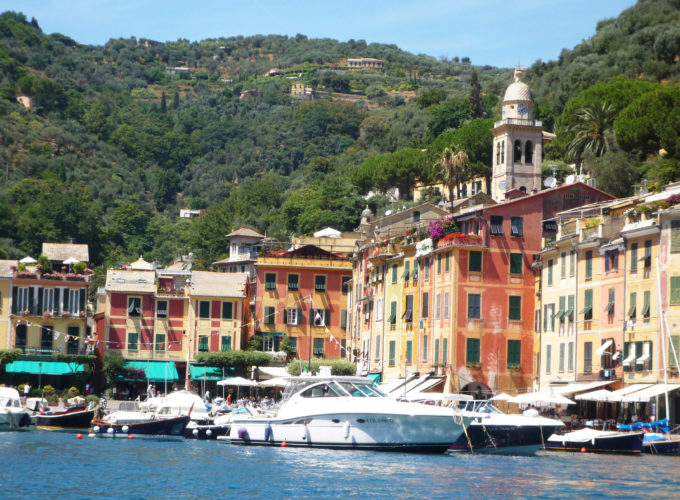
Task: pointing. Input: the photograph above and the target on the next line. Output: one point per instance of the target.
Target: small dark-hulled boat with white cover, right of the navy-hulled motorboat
(595, 441)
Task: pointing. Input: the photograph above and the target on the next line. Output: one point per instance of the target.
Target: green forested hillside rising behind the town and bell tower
(122, 136)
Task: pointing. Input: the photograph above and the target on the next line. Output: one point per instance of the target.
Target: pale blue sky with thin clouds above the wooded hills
(502, 33)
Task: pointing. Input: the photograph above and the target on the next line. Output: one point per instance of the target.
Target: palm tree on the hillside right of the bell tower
(591, 131)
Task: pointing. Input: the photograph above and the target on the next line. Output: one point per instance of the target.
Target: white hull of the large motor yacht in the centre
(386, 432)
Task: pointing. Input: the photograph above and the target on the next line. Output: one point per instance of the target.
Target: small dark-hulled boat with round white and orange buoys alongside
(158, 428)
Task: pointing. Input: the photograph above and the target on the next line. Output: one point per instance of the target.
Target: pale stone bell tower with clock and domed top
(517, 143)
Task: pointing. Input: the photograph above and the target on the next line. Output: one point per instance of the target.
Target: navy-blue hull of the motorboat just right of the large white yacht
(504, 439)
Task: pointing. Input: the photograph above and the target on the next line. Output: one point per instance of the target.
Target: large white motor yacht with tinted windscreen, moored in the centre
(348, 412)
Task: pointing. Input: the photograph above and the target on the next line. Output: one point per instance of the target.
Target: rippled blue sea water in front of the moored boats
(40, 464)
